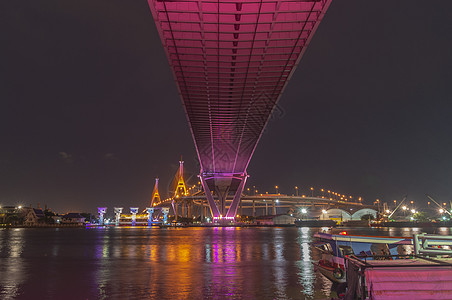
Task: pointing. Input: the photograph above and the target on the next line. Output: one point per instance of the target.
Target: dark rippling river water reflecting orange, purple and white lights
(175, 263)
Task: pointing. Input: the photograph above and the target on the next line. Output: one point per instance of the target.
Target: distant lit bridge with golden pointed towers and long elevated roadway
(189, 201)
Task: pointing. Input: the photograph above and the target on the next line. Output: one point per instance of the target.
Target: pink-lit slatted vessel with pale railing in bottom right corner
(425, 274)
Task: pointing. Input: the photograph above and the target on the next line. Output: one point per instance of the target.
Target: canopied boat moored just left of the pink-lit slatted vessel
(334, 248)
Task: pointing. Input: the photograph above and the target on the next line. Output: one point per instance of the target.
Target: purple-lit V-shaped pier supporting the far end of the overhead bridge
(222, 183)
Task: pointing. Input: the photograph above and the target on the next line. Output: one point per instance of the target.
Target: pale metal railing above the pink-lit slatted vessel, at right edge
(430, 244)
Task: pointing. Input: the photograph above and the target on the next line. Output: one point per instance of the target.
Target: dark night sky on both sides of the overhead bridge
(90, 115)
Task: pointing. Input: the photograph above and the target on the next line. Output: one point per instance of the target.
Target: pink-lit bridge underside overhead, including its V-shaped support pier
(231, 61)
